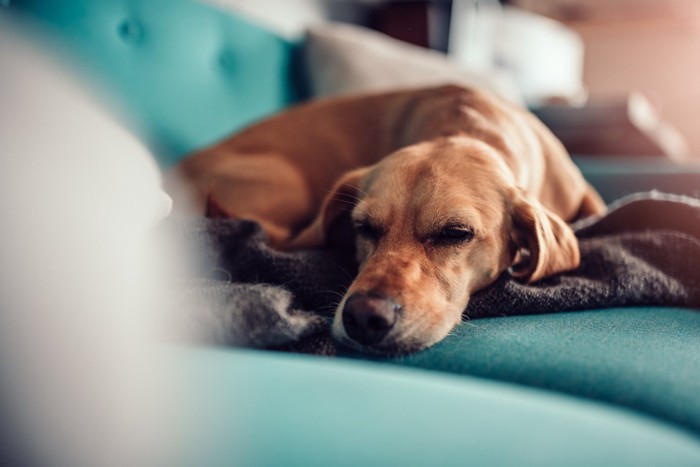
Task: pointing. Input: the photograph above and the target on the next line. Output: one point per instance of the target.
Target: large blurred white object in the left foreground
(80, 382)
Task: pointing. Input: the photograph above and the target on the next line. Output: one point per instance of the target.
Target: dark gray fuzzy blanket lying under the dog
(645, 251)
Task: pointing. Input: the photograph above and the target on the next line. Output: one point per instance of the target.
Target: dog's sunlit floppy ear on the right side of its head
(550, 244)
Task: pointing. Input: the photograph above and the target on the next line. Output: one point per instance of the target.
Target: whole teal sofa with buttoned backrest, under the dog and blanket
(597, 387)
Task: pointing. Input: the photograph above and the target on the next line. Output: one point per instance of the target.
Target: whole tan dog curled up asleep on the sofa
(446, 188)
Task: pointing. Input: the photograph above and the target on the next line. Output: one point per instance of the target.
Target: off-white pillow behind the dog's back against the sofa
(346, 59)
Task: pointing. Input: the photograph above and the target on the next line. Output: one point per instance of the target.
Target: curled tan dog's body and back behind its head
(279, 171)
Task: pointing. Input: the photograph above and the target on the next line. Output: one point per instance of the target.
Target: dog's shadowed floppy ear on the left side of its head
(333, 225)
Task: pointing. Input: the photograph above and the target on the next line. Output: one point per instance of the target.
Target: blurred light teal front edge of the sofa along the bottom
(264, 409)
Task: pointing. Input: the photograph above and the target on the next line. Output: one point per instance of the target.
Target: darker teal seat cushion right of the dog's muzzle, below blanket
(647, 359)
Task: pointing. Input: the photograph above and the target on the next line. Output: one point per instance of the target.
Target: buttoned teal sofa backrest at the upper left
(184, 73)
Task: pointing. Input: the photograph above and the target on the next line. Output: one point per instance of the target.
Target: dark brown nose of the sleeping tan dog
(368, 318)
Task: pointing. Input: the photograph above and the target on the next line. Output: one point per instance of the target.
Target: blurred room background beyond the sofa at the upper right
(609, 76)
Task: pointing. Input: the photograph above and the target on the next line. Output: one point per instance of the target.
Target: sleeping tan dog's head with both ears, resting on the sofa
(434, 223)
